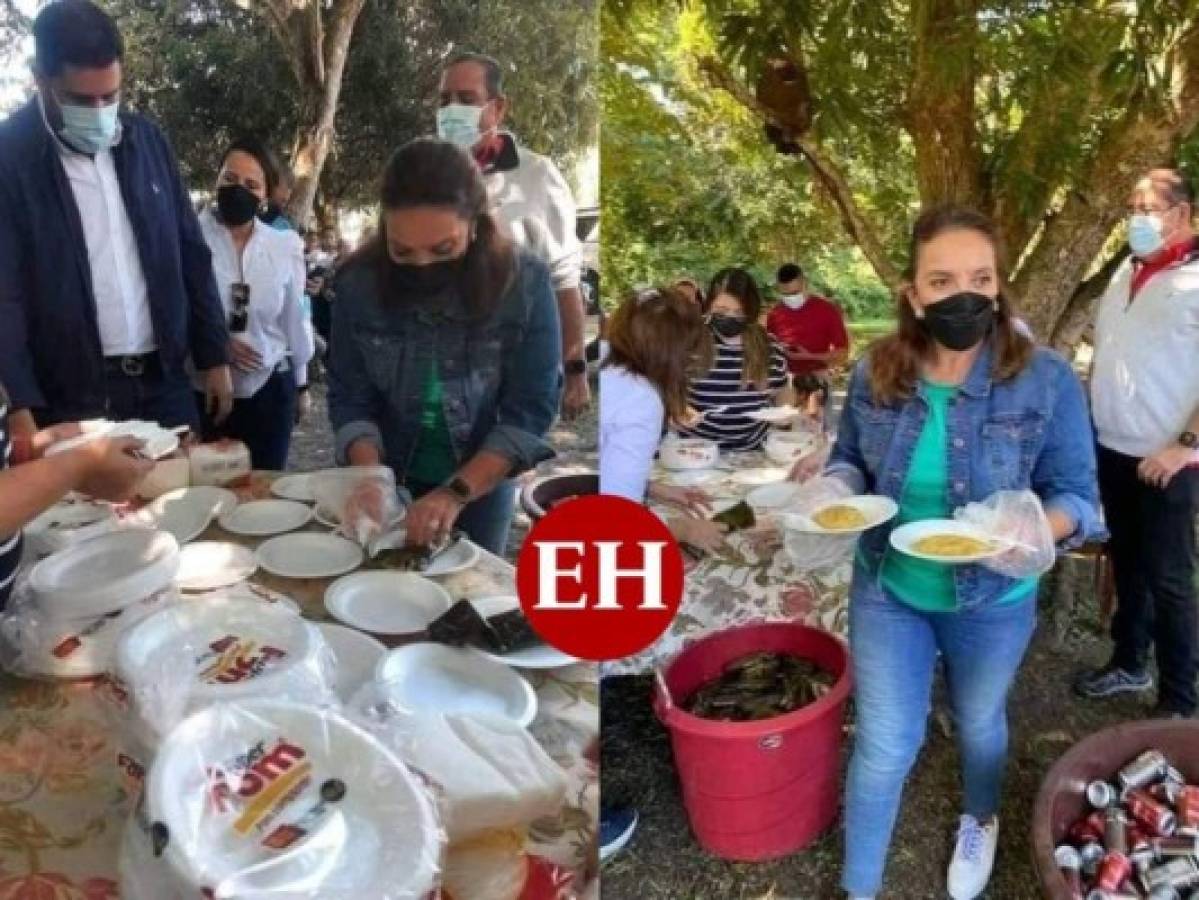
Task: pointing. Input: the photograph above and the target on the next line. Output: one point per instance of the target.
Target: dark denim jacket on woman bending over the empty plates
(501, 378)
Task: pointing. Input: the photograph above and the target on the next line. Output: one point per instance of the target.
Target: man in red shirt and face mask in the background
(811, 329)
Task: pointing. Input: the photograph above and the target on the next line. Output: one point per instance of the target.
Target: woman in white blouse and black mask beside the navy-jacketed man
(261, 275)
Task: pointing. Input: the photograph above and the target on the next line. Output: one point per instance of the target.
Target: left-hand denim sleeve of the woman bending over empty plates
(354, 403)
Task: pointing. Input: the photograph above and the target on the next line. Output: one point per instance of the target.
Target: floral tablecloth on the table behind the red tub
(754, 581)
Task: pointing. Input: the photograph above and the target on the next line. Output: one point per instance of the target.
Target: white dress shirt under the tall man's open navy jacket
(118, 285)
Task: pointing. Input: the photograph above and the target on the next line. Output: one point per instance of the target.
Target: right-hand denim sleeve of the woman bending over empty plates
(531, 384)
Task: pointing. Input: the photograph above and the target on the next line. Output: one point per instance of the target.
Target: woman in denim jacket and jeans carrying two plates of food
(955, 415)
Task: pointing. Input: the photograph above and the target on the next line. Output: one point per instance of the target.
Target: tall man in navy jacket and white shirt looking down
(106, 283)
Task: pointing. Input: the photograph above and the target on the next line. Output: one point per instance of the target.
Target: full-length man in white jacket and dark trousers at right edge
(1146, 401)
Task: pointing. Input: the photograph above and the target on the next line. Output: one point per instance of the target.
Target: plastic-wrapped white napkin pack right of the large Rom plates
(492, 775)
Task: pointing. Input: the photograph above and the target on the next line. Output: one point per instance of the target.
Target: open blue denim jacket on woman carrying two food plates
(1032, 432)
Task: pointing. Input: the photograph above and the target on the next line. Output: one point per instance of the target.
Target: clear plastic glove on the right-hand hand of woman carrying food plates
(1016, 517)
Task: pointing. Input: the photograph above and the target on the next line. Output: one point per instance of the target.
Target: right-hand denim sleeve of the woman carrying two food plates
(1065, 476)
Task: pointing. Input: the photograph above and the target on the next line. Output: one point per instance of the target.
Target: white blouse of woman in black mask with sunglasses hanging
(273, 265)
